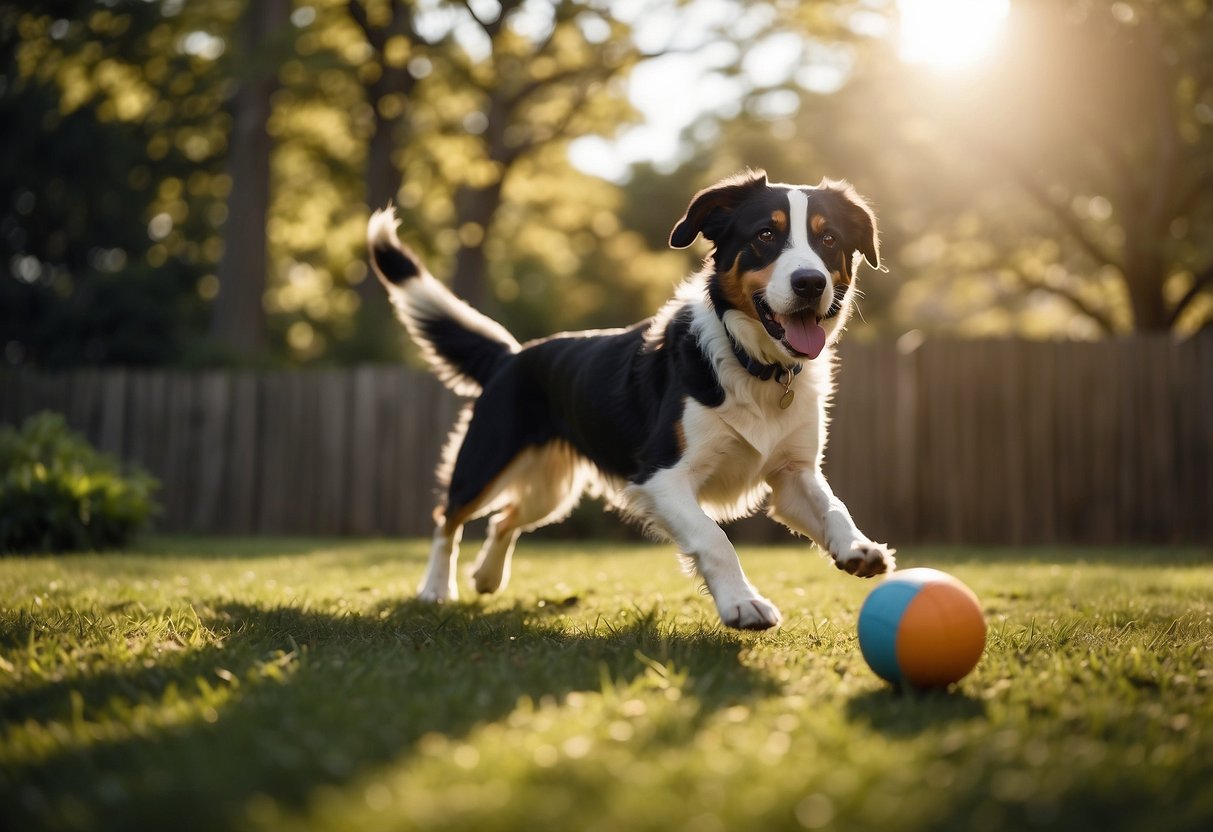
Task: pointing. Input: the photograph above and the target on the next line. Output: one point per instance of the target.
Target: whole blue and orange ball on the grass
(921, 629)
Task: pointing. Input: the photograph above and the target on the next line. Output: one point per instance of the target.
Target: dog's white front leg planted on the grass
(669, 502)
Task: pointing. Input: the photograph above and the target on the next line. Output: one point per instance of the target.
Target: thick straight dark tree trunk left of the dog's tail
(238, 322)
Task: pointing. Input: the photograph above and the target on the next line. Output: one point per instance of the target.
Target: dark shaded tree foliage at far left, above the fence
(100, 258)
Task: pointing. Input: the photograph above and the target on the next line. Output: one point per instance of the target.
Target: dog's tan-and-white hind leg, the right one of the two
(544, 485)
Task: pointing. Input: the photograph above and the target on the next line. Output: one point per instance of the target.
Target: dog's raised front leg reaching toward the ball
(802, 500)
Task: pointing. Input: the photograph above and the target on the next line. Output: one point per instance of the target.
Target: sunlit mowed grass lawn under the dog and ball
(209, 685)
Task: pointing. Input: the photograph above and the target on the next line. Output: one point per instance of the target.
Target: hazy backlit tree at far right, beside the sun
(1112, 135)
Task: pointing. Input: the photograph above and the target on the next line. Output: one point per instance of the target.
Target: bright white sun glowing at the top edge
(949, 33)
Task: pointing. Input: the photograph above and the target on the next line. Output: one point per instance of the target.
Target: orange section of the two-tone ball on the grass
(942, 635)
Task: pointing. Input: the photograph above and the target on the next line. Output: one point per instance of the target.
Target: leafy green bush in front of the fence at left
(59, 494)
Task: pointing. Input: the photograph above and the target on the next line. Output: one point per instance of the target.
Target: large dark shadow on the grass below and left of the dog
(294, 699)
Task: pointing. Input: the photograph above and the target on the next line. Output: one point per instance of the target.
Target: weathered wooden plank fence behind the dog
(975, 442)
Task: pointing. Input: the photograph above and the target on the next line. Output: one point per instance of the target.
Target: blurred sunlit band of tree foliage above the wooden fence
(1060, 187)
